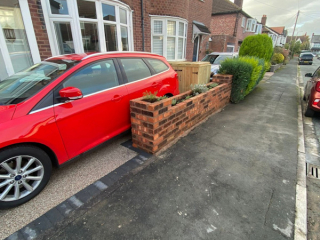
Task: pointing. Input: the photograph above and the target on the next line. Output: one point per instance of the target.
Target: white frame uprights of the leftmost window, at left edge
(31, 37)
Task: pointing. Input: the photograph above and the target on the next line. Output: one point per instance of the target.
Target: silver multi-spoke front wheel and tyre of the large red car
(24, 172)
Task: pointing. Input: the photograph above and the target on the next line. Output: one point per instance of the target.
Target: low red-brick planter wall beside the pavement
(154, 125)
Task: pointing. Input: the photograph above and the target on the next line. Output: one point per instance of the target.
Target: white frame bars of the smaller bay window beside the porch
(164, 20)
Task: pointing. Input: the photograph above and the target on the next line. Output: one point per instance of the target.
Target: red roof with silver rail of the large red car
(82, 56)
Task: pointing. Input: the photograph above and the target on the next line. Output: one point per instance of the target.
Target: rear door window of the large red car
(135, 69)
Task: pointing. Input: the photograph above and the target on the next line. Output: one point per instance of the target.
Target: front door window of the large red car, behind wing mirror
(94, 78)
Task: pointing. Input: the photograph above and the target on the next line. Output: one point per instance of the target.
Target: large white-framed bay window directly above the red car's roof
(80, 26)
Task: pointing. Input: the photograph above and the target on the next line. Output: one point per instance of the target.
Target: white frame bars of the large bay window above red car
(75, 20)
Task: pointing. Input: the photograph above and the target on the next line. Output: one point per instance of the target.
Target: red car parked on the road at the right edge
(312, 93)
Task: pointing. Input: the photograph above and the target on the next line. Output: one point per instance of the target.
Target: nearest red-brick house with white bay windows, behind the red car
(33, 30)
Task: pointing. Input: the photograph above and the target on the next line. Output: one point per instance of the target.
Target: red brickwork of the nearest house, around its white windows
(187, 9)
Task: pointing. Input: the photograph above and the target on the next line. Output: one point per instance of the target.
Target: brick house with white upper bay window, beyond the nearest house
(230, 25)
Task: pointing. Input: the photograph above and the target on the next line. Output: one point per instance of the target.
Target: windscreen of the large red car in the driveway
(28, 82)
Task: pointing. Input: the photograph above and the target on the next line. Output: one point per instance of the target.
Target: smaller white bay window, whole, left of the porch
(168, 37)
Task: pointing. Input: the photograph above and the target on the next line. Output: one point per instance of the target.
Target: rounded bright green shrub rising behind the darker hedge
(257, 46)
